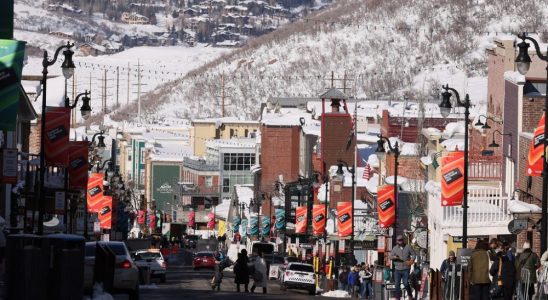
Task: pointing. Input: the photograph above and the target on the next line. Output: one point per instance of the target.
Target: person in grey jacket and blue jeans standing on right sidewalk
(403, 257)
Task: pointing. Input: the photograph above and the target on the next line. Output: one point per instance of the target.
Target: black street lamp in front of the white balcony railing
(445, 108)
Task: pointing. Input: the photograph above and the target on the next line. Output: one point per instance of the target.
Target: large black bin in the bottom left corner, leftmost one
(25, 266)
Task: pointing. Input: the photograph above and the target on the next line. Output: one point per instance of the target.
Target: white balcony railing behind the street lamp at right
(485, 205)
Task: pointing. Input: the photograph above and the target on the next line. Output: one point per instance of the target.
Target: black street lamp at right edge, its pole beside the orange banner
(523, 62)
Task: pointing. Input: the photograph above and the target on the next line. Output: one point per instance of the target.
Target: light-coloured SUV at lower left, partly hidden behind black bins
(126, 273)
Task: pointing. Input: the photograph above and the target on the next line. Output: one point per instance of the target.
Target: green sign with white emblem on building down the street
(164, 180)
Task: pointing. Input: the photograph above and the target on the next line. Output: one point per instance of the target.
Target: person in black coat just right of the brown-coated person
(504, 275)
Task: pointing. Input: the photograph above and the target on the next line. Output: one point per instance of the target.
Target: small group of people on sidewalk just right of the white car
(358, 281)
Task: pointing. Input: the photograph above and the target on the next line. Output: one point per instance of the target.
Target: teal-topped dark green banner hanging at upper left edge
(12, 54)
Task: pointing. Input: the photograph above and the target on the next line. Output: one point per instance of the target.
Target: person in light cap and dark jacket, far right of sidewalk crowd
(527, 262)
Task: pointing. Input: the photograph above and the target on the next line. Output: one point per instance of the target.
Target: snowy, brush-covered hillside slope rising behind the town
(386, 48)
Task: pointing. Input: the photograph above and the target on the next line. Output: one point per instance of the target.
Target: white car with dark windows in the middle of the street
(299, 276)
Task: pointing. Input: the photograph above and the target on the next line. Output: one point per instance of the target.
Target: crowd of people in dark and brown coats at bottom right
(495, 272)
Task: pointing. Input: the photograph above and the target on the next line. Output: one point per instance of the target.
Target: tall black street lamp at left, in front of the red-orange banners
(68, 70)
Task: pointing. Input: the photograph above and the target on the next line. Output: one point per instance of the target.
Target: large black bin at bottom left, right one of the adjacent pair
(65, 276)
